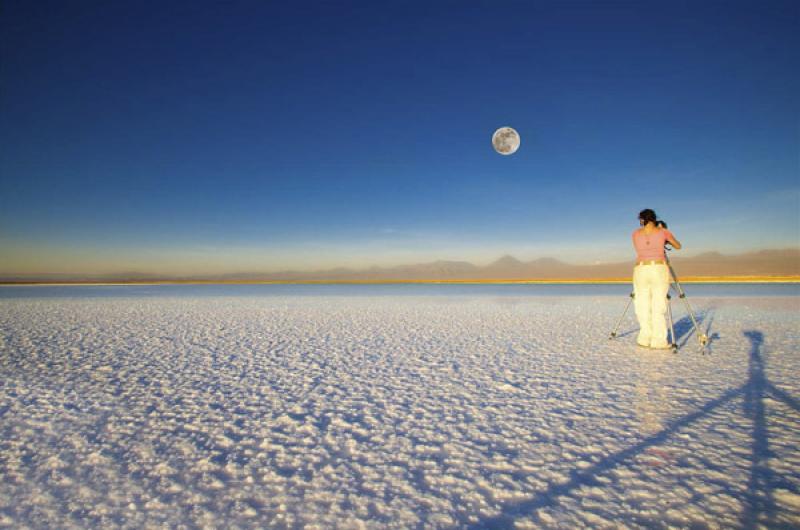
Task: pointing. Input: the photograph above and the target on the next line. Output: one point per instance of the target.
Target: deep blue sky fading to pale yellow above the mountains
(192, 137)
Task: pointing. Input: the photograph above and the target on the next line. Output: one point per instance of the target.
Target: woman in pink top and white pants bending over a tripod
(651, 280)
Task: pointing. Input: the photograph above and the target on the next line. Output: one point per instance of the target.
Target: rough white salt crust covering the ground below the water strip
(394, 412)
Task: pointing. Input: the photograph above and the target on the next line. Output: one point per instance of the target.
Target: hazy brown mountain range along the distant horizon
(782, 262)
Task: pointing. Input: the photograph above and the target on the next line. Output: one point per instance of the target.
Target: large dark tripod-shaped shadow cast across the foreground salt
(759, 504)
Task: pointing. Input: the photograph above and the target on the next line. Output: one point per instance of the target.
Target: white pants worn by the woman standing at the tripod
(650, 288)
